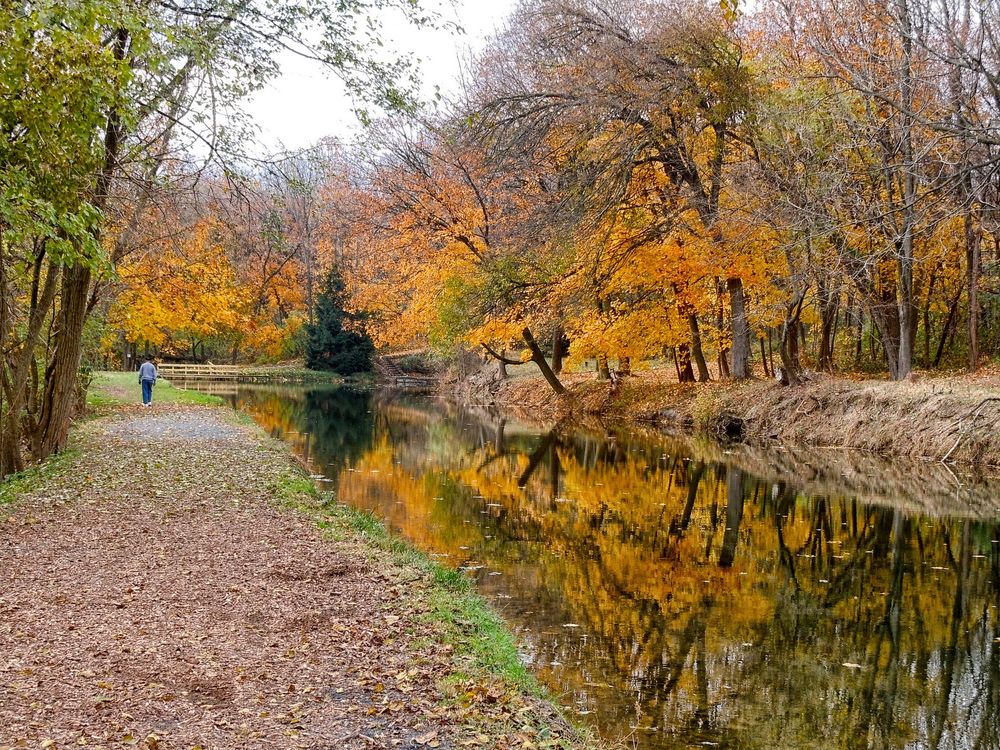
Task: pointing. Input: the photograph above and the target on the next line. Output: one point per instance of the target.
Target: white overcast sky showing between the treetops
(304, 104)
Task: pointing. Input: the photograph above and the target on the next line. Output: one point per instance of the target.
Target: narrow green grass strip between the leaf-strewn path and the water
(471, 626)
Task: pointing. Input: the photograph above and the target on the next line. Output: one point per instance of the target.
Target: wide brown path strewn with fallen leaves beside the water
(154, 596)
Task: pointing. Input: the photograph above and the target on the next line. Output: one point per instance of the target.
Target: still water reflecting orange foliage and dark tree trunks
(687, 595)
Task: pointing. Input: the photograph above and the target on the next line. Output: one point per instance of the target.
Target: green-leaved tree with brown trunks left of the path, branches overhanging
(96, 97)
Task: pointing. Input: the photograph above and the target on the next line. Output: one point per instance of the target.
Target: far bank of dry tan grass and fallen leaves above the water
(940, 419)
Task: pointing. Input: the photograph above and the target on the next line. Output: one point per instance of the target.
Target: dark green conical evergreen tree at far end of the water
(330, 346)
